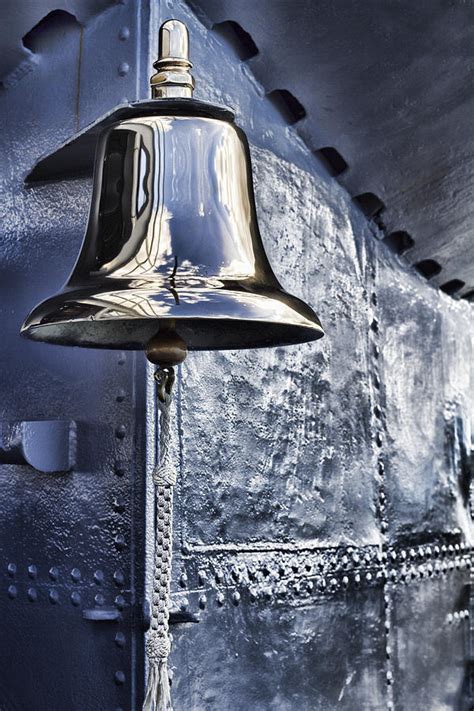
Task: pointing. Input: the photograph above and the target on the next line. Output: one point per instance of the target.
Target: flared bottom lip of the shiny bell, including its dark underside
(206, 319)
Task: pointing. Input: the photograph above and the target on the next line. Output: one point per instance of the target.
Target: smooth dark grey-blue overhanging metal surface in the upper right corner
(388, 86)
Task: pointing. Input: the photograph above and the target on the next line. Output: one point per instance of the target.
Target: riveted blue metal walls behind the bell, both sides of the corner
(322, 533)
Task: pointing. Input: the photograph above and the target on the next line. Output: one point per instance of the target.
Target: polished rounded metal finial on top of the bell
(173, 79)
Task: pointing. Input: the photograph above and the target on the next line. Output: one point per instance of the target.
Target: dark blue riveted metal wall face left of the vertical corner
(72, 544)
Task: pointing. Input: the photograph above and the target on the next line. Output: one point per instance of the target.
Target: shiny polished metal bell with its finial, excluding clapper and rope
(172, 239)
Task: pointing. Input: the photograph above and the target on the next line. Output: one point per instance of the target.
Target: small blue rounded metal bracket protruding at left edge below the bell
(47, 445)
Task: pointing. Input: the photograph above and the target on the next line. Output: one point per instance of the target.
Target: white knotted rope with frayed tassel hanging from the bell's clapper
(158, 697)
